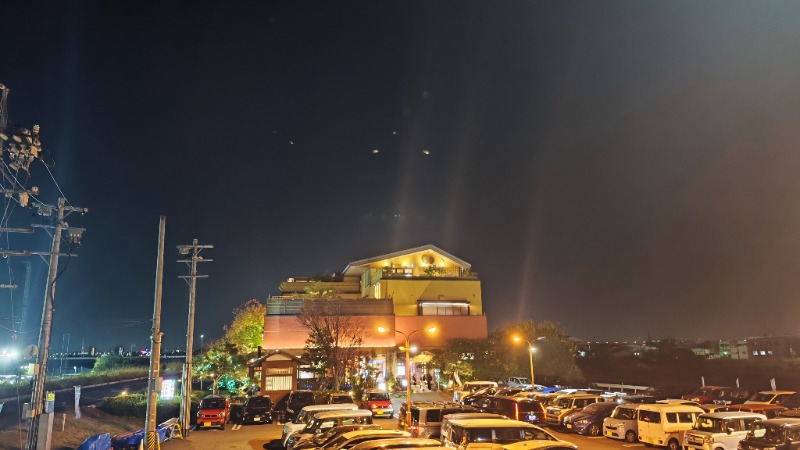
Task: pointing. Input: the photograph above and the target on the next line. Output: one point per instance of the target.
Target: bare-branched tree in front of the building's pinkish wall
(334, 338)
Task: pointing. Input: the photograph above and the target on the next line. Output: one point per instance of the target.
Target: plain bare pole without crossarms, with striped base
(154, 385)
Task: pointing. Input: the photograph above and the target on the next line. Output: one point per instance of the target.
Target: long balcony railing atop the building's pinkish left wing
(291, 306)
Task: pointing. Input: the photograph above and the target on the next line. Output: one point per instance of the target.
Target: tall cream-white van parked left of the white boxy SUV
(664, 424)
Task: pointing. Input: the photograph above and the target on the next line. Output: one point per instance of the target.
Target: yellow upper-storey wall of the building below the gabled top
(405, 293)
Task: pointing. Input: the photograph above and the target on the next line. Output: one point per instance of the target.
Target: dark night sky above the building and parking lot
(627, 169)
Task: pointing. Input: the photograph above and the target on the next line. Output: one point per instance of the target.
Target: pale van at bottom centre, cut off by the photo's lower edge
(490, 434)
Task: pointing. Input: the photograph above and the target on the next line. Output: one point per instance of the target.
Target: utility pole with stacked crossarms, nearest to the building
(186, 395)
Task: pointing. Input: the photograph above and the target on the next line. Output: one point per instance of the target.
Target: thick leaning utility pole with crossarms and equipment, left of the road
(40, 369)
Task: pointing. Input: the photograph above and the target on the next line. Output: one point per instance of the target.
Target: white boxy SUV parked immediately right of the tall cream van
(720, 431)
